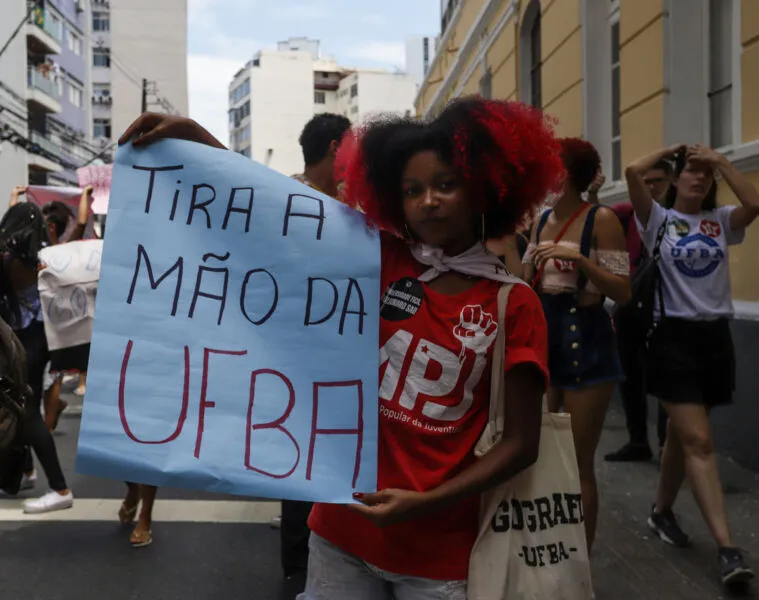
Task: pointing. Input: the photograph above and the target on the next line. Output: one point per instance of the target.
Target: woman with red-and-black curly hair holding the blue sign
(438, 190)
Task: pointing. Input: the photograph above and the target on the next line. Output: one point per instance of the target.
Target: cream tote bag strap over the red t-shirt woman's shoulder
(496, 412)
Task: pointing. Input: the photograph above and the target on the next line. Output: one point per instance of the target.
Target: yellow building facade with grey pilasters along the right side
(630, 76)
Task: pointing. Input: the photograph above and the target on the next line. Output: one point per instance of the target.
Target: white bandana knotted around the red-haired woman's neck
(476, 261)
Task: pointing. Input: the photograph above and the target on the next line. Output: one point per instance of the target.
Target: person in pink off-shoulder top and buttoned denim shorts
(582, 260)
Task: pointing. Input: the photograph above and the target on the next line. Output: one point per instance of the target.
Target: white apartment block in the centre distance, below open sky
(274, 95)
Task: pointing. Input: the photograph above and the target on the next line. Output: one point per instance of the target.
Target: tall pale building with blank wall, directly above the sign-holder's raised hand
(134, 40)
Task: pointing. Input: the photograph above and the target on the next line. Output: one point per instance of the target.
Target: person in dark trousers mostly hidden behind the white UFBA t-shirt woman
(632, 341)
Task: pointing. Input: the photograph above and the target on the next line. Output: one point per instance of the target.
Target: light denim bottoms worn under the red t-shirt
(336, 575)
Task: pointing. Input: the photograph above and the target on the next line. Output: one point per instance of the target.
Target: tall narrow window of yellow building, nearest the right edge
(720, 92)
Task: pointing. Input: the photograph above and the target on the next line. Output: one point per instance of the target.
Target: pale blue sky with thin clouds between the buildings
(224, 35)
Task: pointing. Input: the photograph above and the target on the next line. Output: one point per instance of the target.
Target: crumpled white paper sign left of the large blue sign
(68, 286)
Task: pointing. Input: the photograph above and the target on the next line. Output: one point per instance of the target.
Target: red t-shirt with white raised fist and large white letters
(434, 389)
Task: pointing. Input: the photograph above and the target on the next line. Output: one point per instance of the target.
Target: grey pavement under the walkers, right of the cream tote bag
(630, 563)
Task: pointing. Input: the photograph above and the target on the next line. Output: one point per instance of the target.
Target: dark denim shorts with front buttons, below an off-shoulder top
(582, 345)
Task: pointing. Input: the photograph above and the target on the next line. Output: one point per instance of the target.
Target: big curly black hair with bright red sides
(505, 151)
